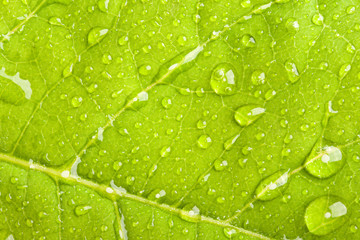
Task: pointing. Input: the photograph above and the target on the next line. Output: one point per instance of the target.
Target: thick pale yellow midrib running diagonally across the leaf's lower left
(115, 194)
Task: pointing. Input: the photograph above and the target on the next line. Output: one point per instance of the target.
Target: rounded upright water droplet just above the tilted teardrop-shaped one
(223, 79)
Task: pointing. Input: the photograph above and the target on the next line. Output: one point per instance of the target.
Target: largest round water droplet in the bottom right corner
(325, 214)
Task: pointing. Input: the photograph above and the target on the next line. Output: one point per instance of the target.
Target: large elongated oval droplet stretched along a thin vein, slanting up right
(272, 186)
